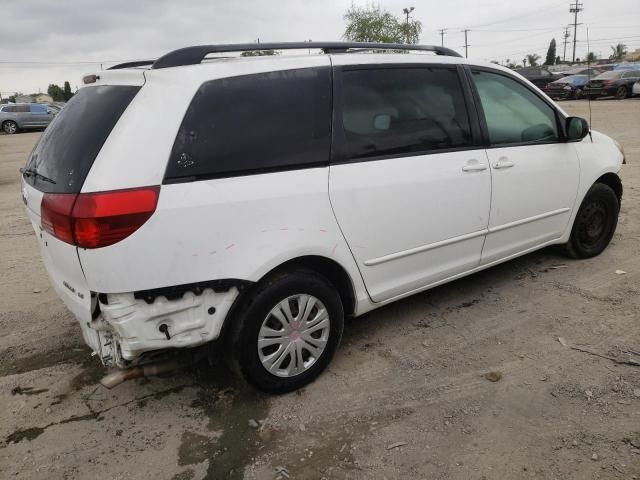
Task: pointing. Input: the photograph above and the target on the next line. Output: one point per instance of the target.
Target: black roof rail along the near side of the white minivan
(194, 55)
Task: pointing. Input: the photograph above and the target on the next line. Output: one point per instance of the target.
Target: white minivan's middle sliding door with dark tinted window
(410, 185)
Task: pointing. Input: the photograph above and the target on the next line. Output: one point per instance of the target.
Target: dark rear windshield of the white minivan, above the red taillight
(68, 147)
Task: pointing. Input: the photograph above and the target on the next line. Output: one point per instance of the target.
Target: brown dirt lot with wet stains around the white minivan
(476, 379)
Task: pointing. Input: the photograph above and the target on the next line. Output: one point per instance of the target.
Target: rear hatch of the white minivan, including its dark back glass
(54, 174)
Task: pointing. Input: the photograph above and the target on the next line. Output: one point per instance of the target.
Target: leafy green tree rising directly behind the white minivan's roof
(372, 24)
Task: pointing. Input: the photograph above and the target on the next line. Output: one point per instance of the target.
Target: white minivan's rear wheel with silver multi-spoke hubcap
(287, 346)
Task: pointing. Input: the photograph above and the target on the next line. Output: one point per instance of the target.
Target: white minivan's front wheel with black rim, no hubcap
(595, 223)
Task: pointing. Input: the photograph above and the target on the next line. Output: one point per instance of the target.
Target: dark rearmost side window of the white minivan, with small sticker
(255, 123)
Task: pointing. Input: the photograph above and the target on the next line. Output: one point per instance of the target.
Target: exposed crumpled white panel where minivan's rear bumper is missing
(127, 327)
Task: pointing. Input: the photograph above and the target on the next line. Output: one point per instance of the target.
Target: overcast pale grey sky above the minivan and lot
(47, 41)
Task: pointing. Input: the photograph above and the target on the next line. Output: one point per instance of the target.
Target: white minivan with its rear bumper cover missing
(260, 200)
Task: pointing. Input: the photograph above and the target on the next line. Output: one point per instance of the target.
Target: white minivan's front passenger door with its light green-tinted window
(535, 174)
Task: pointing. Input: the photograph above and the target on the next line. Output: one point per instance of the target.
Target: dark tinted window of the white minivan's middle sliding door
(394, 111)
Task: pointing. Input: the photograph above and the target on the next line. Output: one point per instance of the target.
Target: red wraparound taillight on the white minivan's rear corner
(94, 220)
